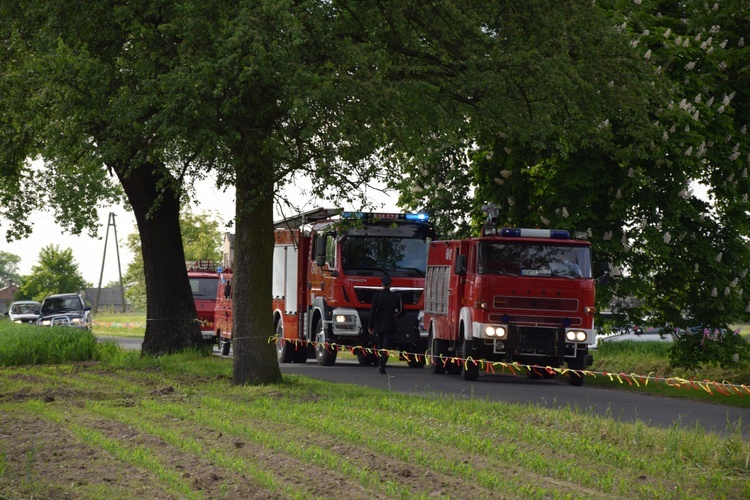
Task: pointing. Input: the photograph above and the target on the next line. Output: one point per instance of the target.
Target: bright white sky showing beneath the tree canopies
(89, 253)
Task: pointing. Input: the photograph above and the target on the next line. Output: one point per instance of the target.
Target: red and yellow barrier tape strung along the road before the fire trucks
(632, 379)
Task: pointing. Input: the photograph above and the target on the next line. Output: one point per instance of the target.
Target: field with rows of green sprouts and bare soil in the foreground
(178, 424)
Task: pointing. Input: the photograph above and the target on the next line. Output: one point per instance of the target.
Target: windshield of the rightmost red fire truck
(523, 259)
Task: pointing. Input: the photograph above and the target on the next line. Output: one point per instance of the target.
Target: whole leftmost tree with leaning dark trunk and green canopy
(78, 83)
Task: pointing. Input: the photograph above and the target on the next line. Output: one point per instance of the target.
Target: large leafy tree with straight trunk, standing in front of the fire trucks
(274, 88)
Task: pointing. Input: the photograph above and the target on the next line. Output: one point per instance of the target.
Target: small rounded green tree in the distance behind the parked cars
(55, 272)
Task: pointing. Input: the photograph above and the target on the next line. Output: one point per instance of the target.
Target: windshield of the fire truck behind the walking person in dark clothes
(368, 255)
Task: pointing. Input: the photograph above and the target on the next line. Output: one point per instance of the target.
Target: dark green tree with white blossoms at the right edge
(664, 105)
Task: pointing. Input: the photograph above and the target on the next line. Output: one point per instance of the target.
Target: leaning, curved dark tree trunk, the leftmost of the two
(171, 319)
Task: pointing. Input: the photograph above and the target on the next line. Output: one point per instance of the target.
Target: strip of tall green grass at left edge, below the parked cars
(35, 345)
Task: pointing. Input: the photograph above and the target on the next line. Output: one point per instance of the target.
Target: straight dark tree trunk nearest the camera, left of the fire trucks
(254, 356)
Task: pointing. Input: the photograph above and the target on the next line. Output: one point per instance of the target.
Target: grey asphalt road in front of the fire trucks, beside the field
(551, 393)
